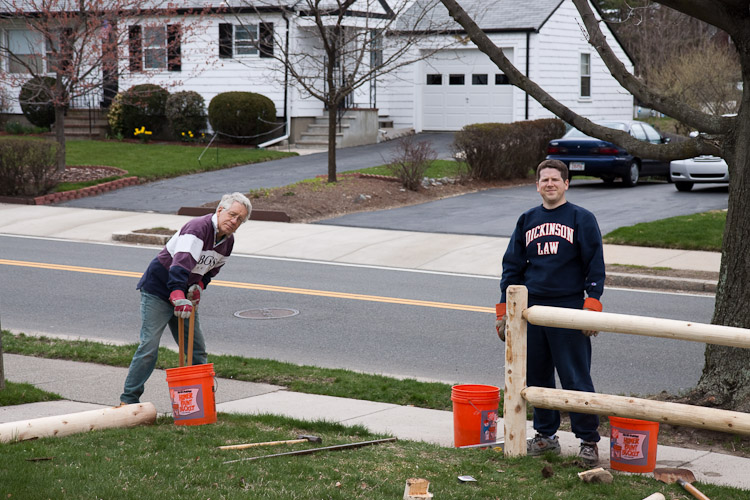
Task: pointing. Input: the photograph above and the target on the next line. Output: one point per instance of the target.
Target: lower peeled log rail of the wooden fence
(644, 409)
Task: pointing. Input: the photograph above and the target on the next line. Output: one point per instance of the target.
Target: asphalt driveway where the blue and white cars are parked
(494, 212)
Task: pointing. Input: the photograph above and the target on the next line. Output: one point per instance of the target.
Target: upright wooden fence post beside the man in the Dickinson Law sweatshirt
(514, 406)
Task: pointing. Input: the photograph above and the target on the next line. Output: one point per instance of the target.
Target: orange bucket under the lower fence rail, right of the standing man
(632, 444)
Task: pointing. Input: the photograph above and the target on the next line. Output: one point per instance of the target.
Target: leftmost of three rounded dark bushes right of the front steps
(143, 106)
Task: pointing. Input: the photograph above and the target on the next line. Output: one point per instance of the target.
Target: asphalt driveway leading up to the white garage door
(167, 196)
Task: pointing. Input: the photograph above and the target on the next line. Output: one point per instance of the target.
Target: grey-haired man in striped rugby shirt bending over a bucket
(171, 286)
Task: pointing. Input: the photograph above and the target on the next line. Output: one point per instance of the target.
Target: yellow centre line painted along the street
(265, 288)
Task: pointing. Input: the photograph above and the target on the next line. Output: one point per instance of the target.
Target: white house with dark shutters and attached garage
(216, 50)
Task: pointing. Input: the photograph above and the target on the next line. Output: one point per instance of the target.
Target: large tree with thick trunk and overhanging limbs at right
(725, 380)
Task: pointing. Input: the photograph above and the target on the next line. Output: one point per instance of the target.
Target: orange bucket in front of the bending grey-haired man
(191, 391)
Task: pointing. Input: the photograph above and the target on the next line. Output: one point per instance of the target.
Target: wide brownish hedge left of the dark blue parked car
(503, 151)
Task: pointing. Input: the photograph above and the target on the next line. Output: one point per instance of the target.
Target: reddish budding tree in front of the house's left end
(86, 45)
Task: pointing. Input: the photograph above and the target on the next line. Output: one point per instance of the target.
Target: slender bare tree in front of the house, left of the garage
(350, 45)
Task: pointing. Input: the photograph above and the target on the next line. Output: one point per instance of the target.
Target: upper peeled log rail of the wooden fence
(637, 325)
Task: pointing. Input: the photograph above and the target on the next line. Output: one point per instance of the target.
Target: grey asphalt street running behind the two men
(355, 331)
